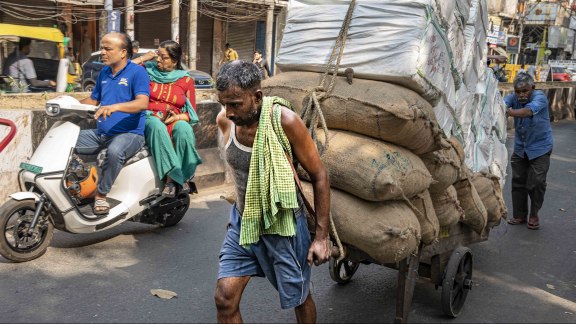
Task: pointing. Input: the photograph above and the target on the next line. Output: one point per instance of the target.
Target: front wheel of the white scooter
(15, 243)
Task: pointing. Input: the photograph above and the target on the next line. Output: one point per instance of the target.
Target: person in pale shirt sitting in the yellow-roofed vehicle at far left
(21, 69)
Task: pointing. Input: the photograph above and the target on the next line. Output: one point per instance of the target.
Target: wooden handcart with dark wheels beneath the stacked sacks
(446, 263)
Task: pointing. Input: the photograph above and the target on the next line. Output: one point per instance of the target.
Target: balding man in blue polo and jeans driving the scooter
(122, 91)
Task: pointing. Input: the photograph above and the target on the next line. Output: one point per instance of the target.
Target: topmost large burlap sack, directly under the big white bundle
(372, 108)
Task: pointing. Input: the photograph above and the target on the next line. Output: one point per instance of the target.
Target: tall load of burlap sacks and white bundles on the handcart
(395, 150)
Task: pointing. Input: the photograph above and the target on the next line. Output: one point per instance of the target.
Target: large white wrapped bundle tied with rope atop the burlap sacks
(381, 34)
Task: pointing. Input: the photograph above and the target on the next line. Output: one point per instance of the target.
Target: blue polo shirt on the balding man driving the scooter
(110, 89)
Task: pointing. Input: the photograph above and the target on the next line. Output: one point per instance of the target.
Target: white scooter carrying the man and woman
(58, 186)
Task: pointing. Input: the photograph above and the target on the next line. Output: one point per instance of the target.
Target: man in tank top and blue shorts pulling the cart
(267, 232)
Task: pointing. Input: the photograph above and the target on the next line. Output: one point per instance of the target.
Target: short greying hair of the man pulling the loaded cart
(239, 73)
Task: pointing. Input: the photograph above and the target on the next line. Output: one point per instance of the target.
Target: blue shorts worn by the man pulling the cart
(281, 259)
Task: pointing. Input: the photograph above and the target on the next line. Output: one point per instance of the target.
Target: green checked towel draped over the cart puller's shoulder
(271, 191)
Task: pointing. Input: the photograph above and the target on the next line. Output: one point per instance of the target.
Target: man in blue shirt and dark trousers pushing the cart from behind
(532, 149)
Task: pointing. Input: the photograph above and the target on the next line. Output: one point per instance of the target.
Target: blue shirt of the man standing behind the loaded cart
(533, 135)
